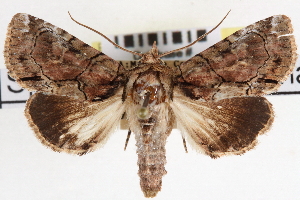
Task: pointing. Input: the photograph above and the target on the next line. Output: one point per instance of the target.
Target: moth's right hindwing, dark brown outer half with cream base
(227, 126)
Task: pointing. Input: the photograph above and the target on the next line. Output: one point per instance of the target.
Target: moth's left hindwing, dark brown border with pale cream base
(70, 125)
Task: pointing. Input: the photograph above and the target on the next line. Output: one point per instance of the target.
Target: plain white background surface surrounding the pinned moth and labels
(28, 170)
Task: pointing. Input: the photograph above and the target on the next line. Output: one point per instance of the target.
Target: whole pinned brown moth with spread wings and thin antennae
(215, 98)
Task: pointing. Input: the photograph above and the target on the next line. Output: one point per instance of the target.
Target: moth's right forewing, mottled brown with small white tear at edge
(251, 62)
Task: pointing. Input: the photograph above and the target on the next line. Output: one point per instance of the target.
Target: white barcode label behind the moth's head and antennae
(165, 41)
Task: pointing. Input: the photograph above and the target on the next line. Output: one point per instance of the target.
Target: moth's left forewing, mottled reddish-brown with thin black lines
(43, 57)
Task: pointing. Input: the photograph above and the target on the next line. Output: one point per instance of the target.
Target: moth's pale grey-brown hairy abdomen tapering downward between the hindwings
(151, 135)
